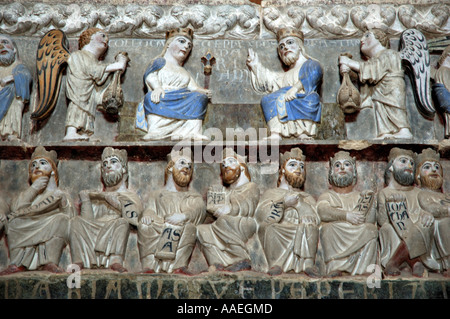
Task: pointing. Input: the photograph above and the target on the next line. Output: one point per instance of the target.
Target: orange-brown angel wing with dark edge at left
(51, 60)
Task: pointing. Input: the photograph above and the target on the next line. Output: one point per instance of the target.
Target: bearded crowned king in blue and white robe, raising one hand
(293, 107)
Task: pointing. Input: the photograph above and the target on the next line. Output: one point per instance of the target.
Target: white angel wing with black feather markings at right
(416, 58)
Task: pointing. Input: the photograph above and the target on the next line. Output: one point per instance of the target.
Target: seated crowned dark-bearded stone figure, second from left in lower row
(99, 235)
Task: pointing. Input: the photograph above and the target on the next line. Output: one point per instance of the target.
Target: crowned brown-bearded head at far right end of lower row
(429, 172)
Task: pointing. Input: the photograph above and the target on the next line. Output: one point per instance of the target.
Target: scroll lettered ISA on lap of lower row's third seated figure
(167, 246)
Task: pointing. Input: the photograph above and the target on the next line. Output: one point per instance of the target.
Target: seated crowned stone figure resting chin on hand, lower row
(38, 224)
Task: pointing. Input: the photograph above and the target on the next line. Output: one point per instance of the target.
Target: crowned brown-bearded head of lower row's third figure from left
(180, 167)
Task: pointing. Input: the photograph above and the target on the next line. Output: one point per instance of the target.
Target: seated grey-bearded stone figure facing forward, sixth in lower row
(348, 233)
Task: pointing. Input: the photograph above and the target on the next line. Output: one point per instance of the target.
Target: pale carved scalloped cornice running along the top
(228, 21)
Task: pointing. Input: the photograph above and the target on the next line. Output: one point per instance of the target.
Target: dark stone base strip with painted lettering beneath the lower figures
(106, 284)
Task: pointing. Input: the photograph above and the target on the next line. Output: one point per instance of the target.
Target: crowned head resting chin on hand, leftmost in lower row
(43, 163)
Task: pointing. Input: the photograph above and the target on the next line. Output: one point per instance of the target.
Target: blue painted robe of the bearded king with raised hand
(306, 106)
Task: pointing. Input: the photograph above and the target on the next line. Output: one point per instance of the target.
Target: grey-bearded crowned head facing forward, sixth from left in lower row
(342, 172)
